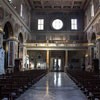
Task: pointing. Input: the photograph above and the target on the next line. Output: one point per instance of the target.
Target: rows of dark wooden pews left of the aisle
(12, 85)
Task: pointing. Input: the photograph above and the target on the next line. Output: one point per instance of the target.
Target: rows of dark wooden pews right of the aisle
(88, 82)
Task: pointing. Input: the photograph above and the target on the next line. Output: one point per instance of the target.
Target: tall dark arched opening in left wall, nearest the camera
(8, 33)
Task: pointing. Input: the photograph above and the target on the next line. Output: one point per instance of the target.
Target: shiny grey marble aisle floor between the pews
(54, 86)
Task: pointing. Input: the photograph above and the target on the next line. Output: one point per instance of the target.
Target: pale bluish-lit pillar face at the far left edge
(2, 54)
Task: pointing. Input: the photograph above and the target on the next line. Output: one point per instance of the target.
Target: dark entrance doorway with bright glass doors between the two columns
(57, 59)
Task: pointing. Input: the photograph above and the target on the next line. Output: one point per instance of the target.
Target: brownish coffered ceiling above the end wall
(57, 4)
